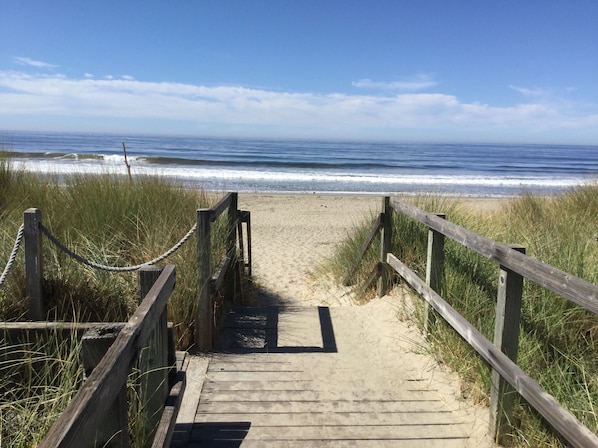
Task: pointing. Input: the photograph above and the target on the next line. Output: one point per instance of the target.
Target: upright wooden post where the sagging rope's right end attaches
(205, 309)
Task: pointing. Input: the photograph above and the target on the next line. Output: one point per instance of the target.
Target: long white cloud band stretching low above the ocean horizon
(143, 104)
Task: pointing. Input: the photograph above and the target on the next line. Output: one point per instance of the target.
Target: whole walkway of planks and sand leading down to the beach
(312, 369)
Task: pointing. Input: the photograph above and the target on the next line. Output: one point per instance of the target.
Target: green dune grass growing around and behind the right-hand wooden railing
(558, 341)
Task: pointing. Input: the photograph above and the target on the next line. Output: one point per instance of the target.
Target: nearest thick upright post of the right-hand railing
(506, 338)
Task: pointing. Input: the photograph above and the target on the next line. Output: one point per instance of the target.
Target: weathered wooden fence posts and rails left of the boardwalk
(98, 413)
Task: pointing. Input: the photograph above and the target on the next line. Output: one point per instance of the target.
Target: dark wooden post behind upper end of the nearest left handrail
(153, 362)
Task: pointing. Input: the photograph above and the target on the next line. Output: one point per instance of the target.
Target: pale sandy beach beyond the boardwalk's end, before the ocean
(293, 234)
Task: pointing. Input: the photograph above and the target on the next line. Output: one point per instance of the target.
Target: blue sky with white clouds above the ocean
(486, 71)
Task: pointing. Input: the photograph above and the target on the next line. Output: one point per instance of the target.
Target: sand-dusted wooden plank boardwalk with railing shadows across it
(294, 377)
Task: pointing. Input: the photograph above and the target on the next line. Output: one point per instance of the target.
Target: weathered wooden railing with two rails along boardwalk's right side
(501, 354)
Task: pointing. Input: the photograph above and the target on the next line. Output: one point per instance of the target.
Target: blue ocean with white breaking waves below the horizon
(313, 166)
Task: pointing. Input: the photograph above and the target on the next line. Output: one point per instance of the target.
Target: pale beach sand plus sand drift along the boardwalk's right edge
(292, 235)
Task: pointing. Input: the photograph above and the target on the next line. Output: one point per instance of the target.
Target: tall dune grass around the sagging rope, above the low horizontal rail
(111, 221)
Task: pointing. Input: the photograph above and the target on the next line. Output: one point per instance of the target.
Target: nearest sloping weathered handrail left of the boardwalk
(92, 402)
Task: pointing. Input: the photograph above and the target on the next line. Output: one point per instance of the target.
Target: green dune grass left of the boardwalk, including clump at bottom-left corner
(110, 220)
